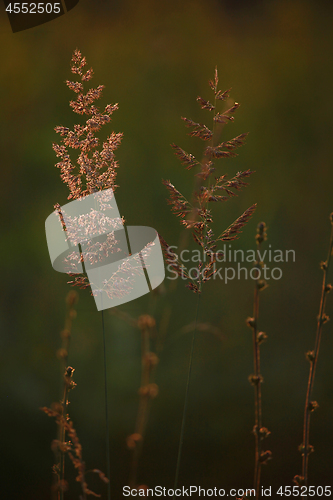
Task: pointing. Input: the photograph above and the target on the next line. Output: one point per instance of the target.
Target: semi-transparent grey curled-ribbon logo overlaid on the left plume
(88, 236)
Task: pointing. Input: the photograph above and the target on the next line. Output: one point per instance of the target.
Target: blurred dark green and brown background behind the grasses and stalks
(154, 58)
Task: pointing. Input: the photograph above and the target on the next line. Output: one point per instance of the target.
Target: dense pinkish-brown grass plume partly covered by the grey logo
(95, 170)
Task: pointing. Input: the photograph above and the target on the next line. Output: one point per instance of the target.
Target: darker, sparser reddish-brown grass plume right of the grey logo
(197, 216)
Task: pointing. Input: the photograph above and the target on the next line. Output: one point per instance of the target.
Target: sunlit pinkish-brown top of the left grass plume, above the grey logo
(95, 168)
